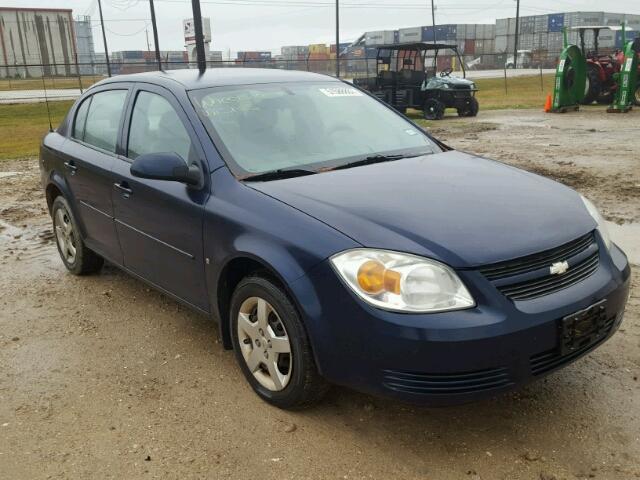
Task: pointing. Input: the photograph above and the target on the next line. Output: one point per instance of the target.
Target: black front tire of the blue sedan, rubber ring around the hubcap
(305, 386)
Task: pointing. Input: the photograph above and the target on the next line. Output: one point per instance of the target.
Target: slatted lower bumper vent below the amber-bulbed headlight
(449, 383)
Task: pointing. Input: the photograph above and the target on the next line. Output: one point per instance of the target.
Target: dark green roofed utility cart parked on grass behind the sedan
(407, 77)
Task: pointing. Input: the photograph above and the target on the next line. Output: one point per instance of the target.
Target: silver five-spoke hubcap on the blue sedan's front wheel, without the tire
(264, 343)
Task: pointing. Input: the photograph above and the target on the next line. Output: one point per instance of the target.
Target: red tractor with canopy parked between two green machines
(601, 67)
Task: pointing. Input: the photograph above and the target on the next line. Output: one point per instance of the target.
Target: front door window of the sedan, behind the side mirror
(156, 128)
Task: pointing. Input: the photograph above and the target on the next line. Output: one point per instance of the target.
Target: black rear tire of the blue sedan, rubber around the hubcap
(85, 261)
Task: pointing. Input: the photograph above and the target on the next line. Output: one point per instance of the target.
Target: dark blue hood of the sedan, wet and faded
(458, 208)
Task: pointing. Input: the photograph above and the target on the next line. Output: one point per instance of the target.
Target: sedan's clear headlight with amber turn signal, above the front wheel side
(401, 282)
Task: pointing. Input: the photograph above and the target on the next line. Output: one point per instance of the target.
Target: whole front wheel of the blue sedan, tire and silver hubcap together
(272, 347)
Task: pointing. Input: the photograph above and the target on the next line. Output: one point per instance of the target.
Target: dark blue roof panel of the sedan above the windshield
(191, 79)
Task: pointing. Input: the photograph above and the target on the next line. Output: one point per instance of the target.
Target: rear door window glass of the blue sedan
(103, 120)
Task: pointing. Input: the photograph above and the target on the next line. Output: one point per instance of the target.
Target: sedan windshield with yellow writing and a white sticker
(267, 127)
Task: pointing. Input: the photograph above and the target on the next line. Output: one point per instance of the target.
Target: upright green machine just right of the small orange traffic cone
(570, 80)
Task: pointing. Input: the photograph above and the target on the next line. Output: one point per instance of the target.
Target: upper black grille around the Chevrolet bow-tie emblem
(529, 277)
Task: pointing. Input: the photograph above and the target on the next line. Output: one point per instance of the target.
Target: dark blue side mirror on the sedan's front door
(166, 166)
